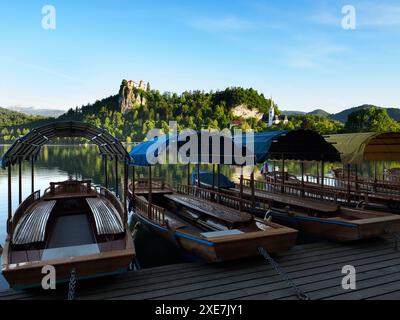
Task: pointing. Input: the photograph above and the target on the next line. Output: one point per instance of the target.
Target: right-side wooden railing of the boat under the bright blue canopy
(225, 198)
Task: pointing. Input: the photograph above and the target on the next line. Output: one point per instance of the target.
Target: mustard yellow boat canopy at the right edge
(372, 146)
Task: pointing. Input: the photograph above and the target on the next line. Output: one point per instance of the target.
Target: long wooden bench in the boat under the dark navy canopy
(290, 200)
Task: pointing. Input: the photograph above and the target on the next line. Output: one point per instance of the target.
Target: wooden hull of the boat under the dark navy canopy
(317, 218)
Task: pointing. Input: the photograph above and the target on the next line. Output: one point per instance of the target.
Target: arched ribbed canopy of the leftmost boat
(29, 145)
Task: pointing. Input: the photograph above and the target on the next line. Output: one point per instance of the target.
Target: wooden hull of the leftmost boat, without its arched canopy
(72, 226)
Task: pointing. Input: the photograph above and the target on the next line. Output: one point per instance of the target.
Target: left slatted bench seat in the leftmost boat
(32, 226)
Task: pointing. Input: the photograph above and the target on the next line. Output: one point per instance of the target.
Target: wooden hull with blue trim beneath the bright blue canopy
(207, 231)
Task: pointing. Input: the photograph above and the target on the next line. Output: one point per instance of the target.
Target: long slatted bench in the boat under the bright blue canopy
(210, 208)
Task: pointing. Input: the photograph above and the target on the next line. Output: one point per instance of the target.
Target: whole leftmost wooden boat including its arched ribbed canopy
(74, 226)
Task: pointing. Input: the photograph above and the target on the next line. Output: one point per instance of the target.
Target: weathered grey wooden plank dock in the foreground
(315, 268)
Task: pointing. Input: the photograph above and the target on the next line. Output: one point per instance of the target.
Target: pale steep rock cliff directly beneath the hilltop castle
(131, 95)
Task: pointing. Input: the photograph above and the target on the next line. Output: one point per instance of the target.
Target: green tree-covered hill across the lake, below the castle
(191, 109)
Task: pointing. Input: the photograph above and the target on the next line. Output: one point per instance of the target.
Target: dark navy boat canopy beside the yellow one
(299, 145)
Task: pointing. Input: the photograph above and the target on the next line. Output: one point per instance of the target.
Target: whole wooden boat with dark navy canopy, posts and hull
(311, 210)
